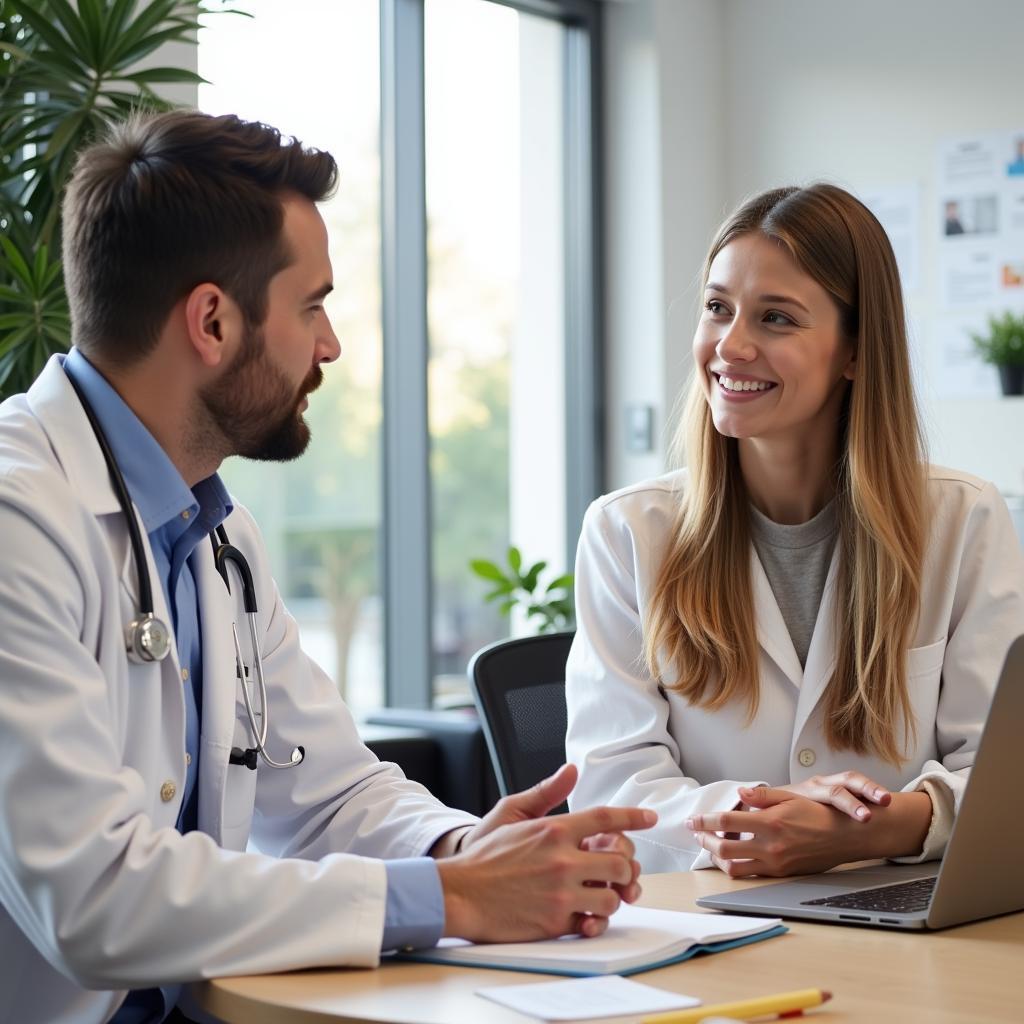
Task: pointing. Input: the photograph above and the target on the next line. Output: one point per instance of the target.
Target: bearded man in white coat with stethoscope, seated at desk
(147, 839)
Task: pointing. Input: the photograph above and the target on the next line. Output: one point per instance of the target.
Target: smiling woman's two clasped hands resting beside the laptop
(812, 827)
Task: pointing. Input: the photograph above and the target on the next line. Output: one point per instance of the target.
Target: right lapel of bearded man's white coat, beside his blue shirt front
(217, 612)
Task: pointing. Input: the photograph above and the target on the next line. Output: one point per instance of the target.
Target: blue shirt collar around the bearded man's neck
(156, 487)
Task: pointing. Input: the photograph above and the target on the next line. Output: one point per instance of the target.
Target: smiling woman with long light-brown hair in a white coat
(789, 649)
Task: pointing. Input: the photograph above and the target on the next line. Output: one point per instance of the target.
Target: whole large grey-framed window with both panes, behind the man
(465, 258)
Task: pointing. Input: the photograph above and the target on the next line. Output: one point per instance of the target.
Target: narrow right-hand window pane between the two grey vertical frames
(495, 310)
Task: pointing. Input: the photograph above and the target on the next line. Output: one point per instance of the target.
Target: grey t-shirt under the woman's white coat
(796, 561)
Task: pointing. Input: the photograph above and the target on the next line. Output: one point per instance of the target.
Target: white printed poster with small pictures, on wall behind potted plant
(980, 221)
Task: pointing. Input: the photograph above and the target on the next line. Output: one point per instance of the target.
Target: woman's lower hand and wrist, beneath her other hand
(795, 835)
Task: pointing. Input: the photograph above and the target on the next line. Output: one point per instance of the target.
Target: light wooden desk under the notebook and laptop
(965, 975)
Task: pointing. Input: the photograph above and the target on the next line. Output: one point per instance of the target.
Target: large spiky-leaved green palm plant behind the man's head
(66, 69)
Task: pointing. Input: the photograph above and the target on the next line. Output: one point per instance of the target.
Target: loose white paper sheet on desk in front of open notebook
(583, 998)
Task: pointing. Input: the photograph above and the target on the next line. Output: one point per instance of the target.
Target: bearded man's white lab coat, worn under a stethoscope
(99, 892)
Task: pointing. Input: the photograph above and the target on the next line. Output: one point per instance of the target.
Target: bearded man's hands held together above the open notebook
(522, 876)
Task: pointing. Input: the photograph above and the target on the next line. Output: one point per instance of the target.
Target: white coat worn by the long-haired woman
(637, 744)
